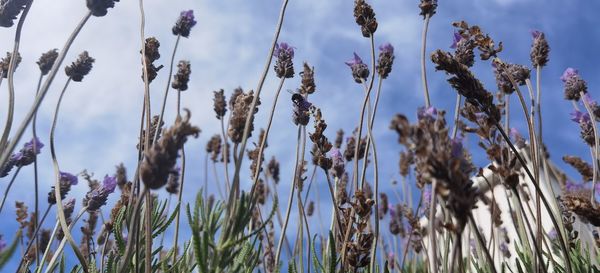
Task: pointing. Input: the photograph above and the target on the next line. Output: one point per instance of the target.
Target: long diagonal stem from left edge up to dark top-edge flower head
(42, 93)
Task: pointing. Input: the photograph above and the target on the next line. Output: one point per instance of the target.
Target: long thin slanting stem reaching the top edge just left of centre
(236, 176)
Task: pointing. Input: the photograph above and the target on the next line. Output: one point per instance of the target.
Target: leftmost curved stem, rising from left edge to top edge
(11, 71)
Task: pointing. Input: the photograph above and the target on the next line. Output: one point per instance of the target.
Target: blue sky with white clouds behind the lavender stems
(227, 48)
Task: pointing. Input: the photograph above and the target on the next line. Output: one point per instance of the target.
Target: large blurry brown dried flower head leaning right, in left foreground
(160, 159)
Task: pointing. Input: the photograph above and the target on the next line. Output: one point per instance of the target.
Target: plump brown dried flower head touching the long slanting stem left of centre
(239, 114)
